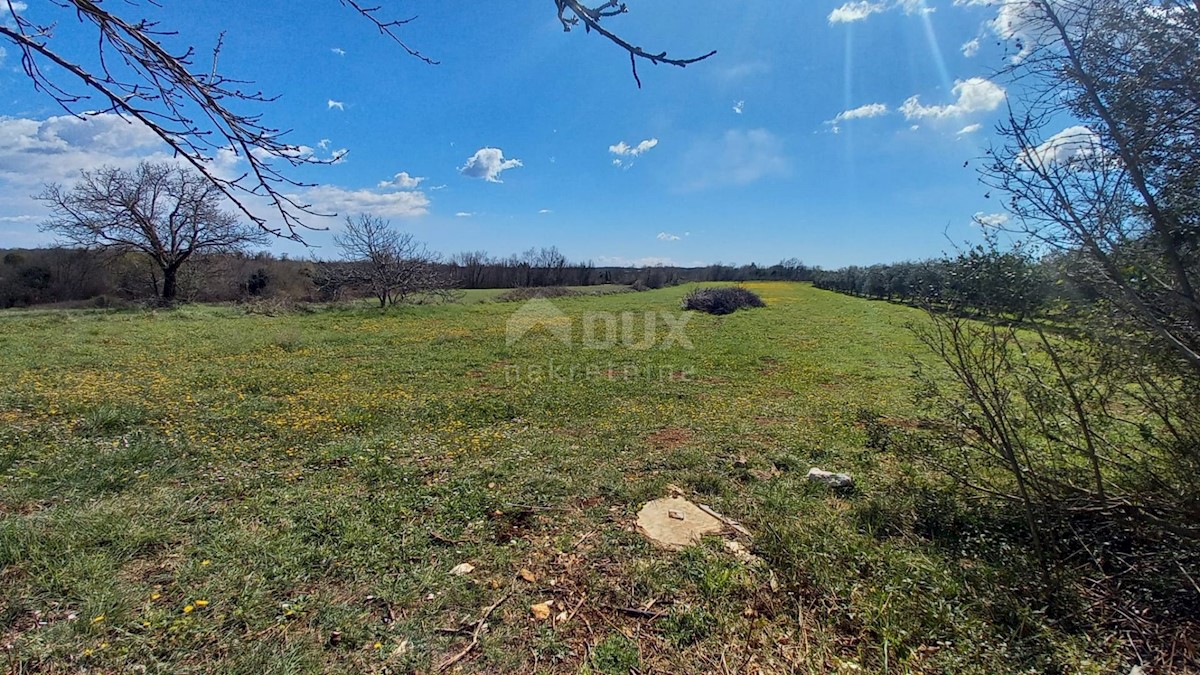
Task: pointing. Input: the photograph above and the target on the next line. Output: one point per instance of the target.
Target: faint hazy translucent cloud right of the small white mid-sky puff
(739, 158)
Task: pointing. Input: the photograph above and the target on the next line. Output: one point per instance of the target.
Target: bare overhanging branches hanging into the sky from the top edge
(196, 109)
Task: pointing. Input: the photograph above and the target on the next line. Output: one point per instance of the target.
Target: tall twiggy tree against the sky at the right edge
(1121, 186)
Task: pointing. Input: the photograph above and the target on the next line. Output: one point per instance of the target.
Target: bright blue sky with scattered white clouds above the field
(741, 158)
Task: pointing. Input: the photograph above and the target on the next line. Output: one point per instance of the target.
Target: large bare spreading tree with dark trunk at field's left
(164, 211)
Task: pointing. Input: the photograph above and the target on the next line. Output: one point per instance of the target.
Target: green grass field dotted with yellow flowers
(207, 491)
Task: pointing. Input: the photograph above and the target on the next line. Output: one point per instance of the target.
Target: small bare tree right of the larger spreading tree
(391, 266)
